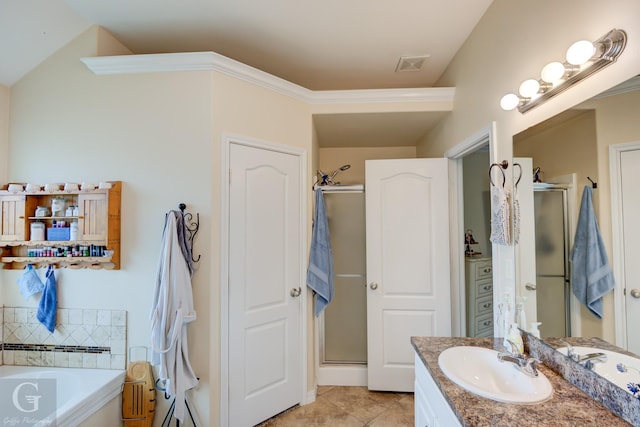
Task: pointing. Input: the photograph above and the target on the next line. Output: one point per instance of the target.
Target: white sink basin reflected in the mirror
(608, 369)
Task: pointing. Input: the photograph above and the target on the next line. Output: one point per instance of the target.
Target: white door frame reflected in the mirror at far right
(615, 151)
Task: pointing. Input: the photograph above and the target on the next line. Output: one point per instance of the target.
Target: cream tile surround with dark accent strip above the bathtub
(83, 338)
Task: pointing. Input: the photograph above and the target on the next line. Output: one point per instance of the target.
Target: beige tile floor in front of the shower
(349, 407)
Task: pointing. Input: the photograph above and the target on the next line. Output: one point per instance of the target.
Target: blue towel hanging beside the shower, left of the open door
(320, 271)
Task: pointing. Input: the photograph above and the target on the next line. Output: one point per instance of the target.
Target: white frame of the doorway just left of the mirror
(456, 227)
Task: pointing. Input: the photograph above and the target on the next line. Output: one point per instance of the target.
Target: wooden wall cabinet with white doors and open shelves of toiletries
(98, 221)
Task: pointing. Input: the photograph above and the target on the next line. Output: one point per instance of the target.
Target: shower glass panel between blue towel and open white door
(344, 338)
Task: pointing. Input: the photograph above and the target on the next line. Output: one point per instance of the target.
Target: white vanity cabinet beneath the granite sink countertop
(430, 407)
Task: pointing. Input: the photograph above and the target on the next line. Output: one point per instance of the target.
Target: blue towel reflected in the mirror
(591, 276)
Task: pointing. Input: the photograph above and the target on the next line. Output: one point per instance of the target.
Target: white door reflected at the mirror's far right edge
(630, 176)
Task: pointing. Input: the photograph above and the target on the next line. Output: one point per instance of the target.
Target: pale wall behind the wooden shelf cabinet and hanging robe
(153, 132)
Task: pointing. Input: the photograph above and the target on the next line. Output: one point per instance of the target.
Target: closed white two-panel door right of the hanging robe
(264, 267)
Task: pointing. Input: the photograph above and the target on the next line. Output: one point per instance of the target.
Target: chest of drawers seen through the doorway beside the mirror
(479, 300)
